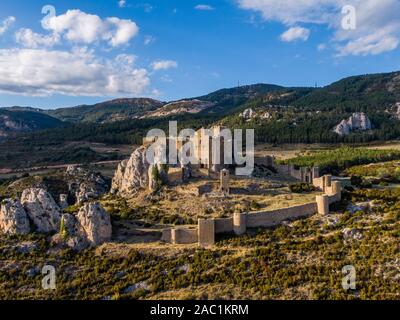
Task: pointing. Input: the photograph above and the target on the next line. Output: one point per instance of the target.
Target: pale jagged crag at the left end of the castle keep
(132, 174)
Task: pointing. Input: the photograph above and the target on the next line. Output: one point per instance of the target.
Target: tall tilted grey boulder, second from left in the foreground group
(41, 209)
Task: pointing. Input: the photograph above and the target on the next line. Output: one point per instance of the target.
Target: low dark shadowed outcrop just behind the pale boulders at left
(85, 185)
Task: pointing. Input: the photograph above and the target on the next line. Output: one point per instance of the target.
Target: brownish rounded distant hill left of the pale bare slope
(109, 111)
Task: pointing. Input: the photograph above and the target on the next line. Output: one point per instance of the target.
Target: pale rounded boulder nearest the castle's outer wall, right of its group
(95, 223)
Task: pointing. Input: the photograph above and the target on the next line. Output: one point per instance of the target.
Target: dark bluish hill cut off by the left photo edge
(21, 120)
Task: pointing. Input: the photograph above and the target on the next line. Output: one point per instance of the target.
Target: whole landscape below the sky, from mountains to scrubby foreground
(137, 231)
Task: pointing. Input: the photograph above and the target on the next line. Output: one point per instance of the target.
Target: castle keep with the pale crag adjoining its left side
(207, 155)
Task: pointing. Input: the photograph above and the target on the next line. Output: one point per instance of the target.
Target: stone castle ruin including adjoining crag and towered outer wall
(137, 173)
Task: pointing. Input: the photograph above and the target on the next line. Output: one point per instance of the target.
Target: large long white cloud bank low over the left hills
(80, 72)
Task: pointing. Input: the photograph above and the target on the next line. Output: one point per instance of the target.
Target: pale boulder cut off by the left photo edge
(13, 218)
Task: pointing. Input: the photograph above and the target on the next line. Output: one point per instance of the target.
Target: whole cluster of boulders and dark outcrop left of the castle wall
(37, 211)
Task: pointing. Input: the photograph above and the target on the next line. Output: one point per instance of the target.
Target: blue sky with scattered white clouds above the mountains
(63, 53)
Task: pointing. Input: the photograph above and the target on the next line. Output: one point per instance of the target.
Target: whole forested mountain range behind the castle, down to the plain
(279, 114)
